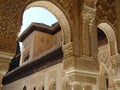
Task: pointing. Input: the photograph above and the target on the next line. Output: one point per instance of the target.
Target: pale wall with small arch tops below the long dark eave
(43, 78)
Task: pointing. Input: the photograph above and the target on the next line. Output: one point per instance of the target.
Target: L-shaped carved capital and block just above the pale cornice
(82, 63)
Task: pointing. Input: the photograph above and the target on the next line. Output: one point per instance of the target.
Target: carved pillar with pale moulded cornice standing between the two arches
(82, 68)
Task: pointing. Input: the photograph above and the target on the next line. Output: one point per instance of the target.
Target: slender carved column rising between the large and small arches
(89, 39)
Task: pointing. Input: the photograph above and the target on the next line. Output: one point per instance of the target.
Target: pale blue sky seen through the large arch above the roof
(37, 14)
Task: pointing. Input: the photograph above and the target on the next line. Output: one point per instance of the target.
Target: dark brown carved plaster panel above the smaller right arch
(106, 10)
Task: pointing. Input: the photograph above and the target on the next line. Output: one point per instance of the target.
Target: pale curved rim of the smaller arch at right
(111, 37)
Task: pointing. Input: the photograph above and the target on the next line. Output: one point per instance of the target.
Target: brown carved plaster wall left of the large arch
(8, 25)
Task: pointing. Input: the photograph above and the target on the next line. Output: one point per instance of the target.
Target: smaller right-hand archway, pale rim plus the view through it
(106, 48)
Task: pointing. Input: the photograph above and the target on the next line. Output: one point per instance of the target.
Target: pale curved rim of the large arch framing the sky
(55, 10)
